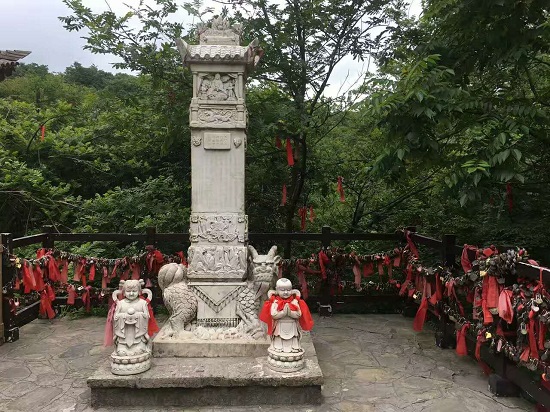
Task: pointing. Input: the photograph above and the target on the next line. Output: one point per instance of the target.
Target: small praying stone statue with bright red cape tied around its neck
(286, 315)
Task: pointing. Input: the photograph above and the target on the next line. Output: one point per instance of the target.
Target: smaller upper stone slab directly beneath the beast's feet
(193, 347)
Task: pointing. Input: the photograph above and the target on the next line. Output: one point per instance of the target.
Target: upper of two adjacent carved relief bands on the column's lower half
(218, 228)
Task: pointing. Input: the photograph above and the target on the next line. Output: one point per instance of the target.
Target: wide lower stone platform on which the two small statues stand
(220, 381)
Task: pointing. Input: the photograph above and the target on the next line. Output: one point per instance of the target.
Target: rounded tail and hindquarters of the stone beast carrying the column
(178, 298)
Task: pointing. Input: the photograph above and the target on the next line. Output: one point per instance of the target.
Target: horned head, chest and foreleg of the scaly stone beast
(260, 277)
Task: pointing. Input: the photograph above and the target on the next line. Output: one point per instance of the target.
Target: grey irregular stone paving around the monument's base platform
(370, 363)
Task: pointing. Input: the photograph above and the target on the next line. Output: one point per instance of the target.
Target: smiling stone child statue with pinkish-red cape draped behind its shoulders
(131, 321)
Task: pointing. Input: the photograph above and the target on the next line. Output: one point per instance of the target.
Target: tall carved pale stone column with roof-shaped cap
(218, 120)
